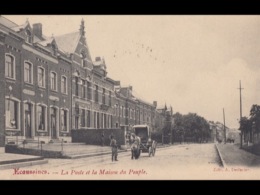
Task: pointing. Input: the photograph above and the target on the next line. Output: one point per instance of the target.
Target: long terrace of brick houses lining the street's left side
(50, 85)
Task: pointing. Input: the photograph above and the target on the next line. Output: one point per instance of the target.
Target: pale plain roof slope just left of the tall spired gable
(68, 42)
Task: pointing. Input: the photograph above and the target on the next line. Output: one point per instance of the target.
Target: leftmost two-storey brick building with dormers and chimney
(35, 85)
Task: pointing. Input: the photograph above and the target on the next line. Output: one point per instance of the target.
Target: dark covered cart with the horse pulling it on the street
(146, 145)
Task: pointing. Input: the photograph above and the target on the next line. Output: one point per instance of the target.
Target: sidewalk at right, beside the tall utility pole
(233, 156)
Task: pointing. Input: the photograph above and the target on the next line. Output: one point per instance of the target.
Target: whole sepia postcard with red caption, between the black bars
(91, 97)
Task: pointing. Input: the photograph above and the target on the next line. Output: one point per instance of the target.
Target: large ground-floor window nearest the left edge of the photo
(11, 114)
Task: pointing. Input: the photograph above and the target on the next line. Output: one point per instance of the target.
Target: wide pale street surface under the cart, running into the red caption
(176, 162)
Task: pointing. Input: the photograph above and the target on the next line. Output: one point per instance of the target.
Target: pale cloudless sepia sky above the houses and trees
(193, 63)
